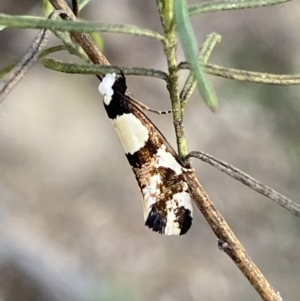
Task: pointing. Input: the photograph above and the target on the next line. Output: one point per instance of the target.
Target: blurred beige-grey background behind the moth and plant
(71, 221)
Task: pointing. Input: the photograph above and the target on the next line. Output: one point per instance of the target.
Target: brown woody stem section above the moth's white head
(82, 39)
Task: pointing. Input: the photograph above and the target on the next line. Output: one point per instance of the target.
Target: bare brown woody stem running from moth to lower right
(237, 253)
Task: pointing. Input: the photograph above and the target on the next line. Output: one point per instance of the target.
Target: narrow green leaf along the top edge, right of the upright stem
(206, 7)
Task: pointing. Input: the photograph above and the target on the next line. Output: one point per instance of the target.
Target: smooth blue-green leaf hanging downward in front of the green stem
(190, 48)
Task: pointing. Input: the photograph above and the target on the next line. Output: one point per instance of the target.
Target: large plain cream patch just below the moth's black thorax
(132, 133)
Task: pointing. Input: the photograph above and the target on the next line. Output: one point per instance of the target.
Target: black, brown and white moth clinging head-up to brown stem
(157, 167)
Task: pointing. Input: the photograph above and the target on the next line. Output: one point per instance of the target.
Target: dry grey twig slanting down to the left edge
(24, 65)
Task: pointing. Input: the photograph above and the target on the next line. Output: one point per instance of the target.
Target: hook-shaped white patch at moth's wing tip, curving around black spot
(180, 199)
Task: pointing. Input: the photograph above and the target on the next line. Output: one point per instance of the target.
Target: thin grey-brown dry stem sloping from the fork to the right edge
(249, 181)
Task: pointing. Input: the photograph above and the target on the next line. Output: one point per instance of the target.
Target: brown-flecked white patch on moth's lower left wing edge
(151, 193)
